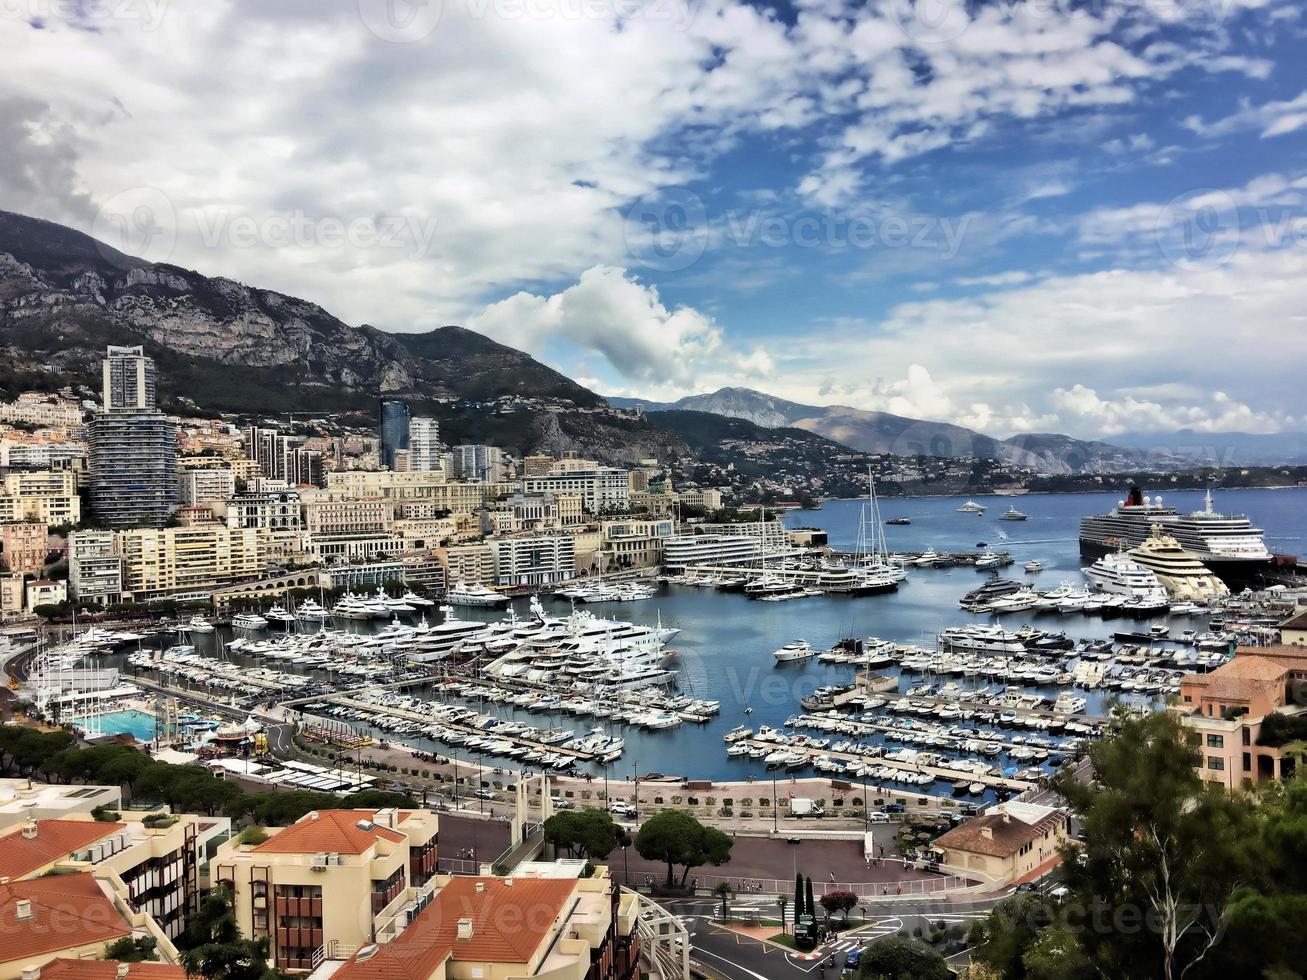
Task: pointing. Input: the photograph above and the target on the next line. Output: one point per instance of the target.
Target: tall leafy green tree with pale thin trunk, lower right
(1159, 846)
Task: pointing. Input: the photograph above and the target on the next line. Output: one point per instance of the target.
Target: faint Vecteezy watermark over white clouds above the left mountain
(144, 223)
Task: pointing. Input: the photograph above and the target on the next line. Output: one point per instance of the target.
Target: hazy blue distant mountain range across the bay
(885, 433)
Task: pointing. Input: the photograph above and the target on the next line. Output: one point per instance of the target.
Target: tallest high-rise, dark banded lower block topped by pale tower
(133, 448)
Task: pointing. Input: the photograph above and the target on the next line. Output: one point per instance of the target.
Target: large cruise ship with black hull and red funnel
(1227, 544)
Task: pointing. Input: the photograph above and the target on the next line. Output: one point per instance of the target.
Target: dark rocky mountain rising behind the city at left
(223, 346)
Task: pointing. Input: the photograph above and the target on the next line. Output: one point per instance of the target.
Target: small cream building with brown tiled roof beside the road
(1008, 843)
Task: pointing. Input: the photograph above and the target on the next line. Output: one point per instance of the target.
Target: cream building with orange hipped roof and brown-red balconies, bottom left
(335, 880)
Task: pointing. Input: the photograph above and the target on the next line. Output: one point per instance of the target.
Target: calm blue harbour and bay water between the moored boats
(726, 640)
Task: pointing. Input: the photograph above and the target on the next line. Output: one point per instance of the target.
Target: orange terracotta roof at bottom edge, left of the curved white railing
(509, 926)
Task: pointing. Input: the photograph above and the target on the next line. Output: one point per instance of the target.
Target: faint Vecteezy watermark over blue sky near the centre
(671, 229)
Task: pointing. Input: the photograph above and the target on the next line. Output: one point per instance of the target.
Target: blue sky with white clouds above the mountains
(1076, 216)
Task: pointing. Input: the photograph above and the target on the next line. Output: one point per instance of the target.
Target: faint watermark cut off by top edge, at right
(942, 22)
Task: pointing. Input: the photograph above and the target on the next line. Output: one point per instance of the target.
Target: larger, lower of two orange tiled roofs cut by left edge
(69, 911)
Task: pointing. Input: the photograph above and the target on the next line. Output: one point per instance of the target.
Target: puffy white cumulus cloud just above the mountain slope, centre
(612, 314)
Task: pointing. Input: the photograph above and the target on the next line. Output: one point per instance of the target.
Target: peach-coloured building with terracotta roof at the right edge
(1228, 709)
